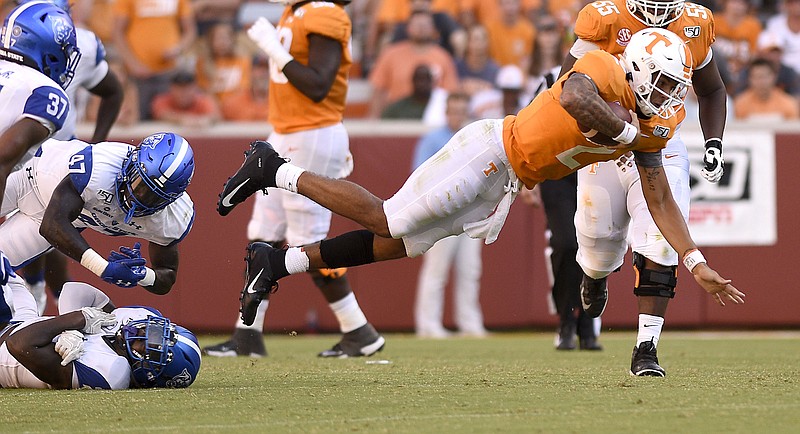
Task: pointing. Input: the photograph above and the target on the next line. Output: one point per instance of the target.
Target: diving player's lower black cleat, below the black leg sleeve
(259, 280)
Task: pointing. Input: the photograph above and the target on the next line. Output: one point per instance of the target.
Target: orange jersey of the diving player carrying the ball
(544, 142)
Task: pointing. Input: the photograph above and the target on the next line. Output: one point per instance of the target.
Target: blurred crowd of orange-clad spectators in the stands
(189, 61)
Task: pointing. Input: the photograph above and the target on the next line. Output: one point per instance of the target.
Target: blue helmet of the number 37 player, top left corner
(41, 35)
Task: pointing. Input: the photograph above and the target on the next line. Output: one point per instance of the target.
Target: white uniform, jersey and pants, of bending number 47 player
(93, 171)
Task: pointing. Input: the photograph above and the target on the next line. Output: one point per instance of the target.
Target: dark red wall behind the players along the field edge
(514, 285)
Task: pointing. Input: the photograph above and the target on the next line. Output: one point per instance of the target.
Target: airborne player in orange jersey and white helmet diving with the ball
(469, 185)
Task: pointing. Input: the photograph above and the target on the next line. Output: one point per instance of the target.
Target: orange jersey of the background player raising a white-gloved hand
(289, 109)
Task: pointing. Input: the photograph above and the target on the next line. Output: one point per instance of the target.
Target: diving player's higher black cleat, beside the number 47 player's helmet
(261, 162)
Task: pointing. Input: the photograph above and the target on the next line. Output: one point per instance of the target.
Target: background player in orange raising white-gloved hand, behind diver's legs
(309, 63)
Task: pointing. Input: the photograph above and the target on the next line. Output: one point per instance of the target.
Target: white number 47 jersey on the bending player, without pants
(93, 170)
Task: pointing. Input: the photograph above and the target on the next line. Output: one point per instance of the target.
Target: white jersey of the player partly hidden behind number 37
(92, 68)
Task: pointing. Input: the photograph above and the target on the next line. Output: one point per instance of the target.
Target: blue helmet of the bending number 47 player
(154, 174)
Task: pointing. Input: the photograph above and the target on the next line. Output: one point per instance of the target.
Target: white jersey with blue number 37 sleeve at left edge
(27, 93)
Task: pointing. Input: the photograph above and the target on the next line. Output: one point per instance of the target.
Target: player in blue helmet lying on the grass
(86, 346)
